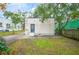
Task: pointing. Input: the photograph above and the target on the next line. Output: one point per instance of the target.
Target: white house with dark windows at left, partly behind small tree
(6, 25)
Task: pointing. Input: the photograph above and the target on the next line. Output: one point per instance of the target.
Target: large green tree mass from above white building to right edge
(59, 11)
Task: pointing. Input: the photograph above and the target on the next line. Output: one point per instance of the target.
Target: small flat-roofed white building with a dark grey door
(34, 26)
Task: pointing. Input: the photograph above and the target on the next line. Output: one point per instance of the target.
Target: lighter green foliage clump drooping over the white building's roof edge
(42, 12)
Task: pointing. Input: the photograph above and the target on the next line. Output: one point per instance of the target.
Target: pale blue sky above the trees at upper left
(14, 7)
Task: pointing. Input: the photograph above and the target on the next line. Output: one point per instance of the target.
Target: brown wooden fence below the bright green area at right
(71, 33)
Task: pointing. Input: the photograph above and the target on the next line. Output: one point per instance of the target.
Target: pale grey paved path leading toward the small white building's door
(13, 38)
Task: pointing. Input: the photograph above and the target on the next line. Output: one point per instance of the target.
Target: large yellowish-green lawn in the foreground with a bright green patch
(47, 46)
